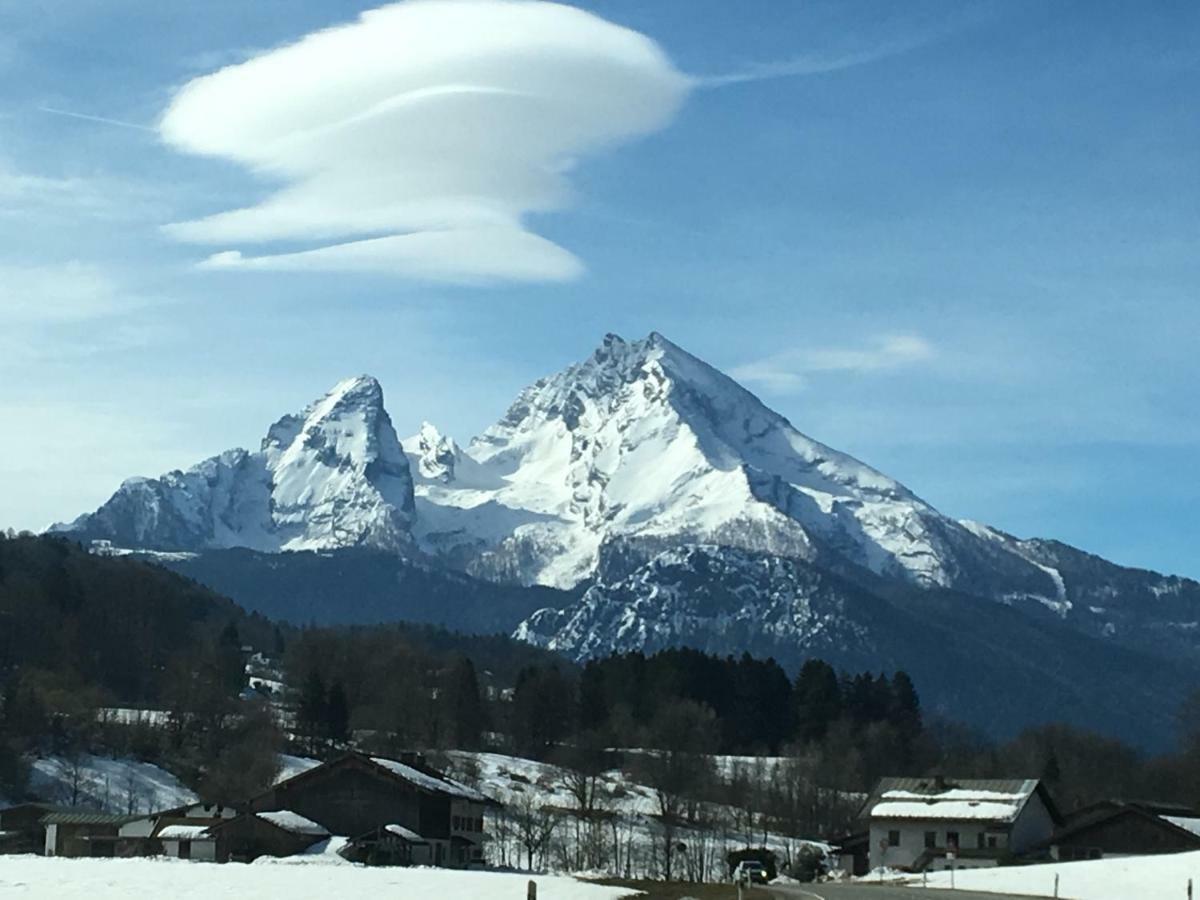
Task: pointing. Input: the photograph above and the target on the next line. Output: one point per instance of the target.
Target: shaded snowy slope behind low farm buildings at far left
(117, 787)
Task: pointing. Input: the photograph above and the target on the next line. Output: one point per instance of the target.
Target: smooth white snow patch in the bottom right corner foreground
(1157, 878)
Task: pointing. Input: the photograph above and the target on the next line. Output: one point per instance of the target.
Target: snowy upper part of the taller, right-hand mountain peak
(645, 441)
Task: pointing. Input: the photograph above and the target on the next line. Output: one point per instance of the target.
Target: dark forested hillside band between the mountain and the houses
(83, 635)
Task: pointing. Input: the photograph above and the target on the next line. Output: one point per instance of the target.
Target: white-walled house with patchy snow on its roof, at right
(938, 823)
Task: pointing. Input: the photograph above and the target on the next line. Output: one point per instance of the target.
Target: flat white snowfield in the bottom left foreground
(38, 879)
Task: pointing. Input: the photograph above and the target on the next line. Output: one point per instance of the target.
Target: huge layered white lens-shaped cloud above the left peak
(417, 140)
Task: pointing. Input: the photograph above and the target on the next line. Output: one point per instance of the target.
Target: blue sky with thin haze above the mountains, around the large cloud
(957, 241)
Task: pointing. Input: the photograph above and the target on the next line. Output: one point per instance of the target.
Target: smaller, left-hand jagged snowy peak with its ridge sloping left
(333, 476)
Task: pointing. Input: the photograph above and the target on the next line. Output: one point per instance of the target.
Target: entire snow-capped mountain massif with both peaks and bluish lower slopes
(677, 509)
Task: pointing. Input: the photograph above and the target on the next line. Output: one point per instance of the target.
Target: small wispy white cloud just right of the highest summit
(789, 373)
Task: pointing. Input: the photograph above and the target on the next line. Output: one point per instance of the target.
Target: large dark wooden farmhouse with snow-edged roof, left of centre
(399, 812)
